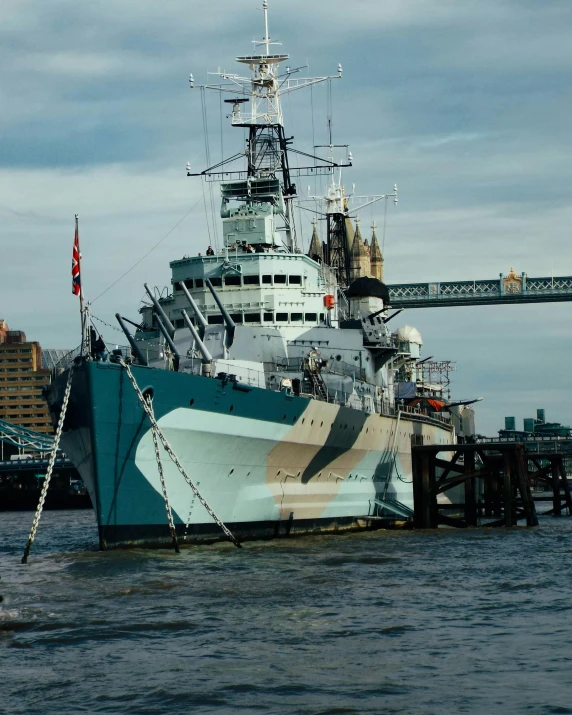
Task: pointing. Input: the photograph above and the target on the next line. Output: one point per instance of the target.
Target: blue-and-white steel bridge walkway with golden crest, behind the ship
(509, 289)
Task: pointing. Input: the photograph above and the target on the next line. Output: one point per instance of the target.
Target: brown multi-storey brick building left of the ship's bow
(21, 381)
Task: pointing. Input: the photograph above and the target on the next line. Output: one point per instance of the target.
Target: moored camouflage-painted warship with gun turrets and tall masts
(273, 373)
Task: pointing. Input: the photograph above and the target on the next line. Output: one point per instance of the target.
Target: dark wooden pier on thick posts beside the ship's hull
(484, 485)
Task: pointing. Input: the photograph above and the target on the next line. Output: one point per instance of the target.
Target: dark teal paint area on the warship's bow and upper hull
(104, 402)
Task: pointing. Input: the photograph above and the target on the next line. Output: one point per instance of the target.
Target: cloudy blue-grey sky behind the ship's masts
(464, 105)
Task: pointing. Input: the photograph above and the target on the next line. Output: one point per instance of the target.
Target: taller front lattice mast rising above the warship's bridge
(267, 186)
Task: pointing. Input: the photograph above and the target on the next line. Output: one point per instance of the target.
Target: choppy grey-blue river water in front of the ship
(383, 622)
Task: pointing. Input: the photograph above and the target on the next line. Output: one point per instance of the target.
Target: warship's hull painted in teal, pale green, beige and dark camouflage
(268, 463)
